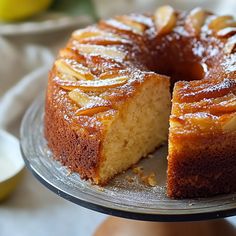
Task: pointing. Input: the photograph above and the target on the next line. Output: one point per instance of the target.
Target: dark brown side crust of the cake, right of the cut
(203, 166)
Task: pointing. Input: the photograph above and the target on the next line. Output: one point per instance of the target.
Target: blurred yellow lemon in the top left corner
(14, 10)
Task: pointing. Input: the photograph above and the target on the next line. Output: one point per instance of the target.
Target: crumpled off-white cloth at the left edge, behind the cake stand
(23, 75)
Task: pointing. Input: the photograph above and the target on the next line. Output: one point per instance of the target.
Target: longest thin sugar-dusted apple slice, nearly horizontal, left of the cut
(92, 85)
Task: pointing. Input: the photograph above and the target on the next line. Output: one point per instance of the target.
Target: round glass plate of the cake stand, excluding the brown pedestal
(121, 197)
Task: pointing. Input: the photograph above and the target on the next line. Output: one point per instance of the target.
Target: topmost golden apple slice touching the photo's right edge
(220, 22)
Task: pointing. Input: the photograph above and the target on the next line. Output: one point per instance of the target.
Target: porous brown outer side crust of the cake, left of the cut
(69, 145)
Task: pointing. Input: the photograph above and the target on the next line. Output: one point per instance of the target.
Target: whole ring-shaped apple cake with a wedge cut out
(108, 99)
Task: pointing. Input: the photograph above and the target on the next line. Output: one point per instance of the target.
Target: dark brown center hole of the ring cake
(180, 63)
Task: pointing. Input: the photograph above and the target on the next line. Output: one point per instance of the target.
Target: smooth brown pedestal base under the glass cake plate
(114, 226)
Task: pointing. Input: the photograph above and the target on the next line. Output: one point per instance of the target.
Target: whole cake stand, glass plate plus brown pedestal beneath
(124, 198)
